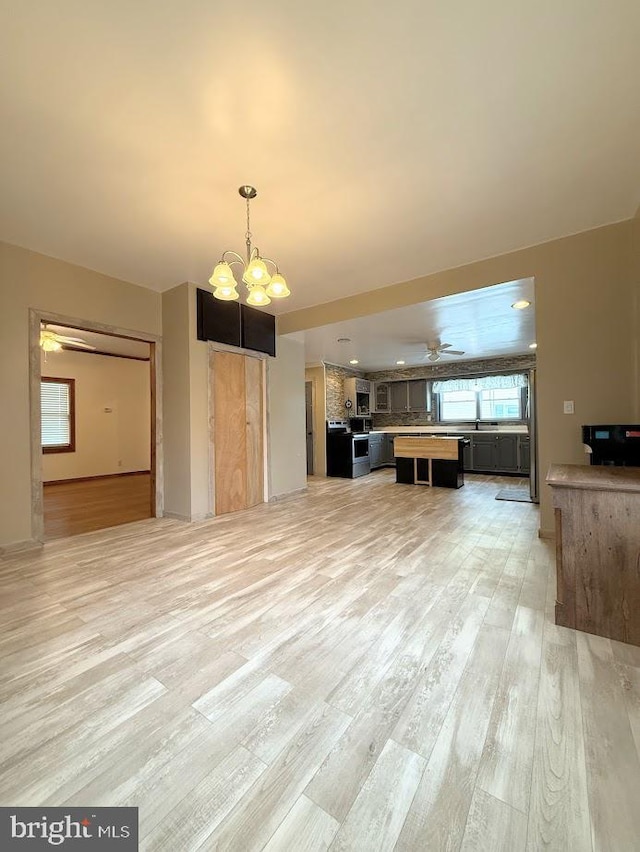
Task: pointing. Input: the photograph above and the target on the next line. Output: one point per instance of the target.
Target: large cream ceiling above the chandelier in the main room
(387, 141)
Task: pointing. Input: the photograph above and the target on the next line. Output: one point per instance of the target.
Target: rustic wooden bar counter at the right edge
(598, 549)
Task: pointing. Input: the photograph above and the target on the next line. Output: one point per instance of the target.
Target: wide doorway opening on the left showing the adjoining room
(94, 426)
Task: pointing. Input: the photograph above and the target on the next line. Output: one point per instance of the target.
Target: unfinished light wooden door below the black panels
(237, 432)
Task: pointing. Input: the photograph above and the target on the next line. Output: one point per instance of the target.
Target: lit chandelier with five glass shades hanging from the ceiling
(262, 285)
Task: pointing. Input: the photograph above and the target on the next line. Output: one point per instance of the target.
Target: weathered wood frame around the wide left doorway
(36, 317)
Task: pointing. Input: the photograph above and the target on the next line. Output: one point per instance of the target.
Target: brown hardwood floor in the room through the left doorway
(72, 508)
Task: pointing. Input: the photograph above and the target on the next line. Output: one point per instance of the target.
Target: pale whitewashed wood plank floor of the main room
(368, 666)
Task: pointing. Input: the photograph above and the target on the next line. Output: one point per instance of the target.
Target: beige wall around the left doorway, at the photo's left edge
(30, 280)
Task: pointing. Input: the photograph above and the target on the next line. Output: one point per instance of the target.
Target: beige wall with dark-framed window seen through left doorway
(118, 441)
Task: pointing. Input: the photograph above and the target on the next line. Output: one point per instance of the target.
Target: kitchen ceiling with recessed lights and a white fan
(481, 323)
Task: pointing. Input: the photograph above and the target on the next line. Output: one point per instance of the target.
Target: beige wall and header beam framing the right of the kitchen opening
(586, 325)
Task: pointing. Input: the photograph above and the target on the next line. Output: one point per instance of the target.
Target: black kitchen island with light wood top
(436, 461)
